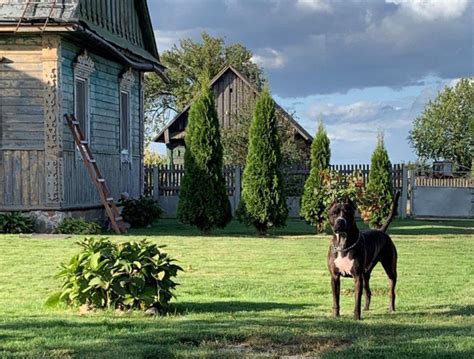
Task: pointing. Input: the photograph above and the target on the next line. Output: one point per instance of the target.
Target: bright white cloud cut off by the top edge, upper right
(432, 9)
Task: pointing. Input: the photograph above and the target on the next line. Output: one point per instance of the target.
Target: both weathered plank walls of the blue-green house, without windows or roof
(33, 97)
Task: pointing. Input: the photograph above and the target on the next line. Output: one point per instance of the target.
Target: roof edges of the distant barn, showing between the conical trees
(301, 131)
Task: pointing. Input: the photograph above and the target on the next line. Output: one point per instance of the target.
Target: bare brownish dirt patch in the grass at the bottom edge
(301, 347)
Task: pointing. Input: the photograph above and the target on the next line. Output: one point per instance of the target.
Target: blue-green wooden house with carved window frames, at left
(71, 57)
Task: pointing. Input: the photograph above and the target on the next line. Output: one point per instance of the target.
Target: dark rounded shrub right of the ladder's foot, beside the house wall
(141, 212)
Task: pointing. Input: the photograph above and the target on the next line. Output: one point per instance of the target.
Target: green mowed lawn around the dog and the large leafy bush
(245, 296)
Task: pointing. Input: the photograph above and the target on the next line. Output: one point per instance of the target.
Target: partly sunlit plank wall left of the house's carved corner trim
(22, 174)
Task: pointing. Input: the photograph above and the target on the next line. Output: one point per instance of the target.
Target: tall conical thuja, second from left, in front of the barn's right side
(263, 202)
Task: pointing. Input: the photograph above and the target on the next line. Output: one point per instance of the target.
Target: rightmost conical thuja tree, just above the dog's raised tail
(379, 192)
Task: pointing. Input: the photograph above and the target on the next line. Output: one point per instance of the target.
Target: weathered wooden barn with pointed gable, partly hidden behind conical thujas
(233, 92)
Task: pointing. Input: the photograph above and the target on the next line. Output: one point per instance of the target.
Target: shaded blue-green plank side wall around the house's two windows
(104, 131)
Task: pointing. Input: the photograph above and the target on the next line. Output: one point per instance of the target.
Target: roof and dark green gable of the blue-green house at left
(104, 19)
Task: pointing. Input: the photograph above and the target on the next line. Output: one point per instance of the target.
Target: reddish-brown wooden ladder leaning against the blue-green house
(116, 221)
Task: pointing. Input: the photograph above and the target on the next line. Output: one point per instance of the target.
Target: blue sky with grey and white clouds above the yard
(360, 66)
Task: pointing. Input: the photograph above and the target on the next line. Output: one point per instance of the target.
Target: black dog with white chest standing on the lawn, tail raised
(354, 254)
